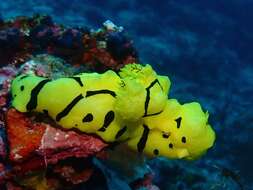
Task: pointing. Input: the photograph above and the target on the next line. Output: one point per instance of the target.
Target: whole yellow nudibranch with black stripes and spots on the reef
(131, 107)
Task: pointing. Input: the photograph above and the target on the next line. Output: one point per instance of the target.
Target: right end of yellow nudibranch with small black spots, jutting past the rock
(181, 131)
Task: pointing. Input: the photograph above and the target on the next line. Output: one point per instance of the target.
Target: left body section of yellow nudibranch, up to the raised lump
(84, 101)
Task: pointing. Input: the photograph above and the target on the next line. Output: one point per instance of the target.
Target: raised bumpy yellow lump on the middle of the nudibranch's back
(142, 92)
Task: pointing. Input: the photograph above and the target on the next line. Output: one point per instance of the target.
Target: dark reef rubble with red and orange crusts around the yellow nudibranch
(37, 154)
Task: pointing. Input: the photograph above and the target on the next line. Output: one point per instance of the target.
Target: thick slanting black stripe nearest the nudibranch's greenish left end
(32, 104)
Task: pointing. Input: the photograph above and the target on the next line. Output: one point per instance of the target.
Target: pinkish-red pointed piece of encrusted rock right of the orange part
(57, 144)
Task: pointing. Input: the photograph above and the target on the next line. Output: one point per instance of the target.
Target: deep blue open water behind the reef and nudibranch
(205, 47)
